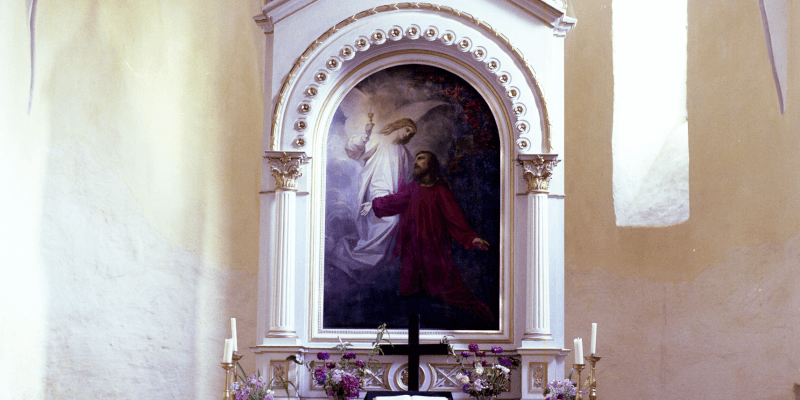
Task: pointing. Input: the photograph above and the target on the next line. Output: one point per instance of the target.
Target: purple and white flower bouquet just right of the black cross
(480, 378)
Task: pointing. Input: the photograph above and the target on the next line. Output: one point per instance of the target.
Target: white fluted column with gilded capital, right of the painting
(537, 170)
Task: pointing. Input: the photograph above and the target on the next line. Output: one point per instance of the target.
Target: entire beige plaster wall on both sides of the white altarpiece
(130, 209)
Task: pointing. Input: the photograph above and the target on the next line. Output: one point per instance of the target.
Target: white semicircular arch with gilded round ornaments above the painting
(436, 30)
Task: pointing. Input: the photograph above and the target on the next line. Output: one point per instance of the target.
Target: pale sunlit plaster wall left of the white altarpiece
(130, 196)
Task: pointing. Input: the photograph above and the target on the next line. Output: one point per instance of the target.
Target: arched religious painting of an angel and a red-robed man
(409, 232)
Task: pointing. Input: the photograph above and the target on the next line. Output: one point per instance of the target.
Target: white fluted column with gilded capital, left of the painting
(285, 168)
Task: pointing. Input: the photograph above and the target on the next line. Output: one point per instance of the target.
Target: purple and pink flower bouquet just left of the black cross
(344, 379)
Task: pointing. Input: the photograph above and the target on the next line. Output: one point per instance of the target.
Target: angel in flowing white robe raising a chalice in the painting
(387, 165)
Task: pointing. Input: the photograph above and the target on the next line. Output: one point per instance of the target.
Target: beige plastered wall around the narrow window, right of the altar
(710, 307)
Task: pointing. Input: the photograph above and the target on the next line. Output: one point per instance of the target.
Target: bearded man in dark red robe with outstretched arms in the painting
(429, 220)
